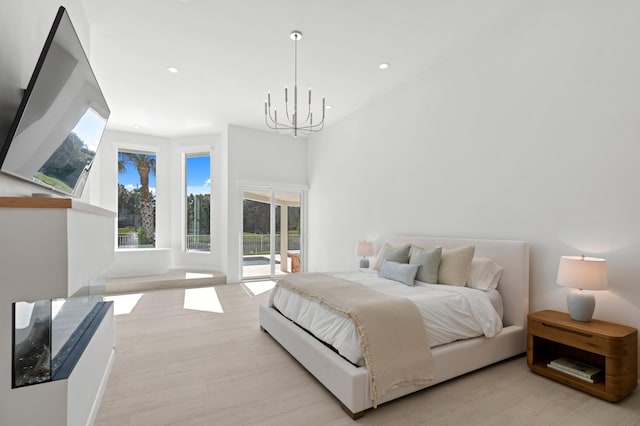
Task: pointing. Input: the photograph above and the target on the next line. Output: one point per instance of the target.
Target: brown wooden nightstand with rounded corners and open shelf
(605, 345)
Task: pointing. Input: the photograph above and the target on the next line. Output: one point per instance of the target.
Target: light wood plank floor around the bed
(176, 366)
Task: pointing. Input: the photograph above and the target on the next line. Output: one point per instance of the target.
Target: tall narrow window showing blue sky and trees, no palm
(198, 202)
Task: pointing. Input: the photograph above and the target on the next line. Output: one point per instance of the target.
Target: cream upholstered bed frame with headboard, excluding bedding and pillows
(350, 383)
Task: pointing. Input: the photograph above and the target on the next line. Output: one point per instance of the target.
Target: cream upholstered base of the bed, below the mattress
(350, 384)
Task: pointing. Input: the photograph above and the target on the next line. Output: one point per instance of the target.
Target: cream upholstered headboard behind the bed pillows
(513, 256)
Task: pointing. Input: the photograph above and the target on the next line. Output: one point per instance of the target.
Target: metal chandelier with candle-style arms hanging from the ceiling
(292, 121)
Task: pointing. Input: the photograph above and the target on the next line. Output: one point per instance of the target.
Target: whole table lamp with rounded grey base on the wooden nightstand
(582, 274)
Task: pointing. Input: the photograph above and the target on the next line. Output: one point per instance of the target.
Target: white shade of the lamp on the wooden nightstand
(586, 273)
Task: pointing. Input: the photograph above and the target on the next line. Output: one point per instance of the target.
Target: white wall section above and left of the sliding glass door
(259, 157)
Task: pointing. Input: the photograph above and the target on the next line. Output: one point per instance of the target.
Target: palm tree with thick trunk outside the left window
(145, 164)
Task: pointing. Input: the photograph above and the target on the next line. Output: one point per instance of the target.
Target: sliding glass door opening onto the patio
(272, 233)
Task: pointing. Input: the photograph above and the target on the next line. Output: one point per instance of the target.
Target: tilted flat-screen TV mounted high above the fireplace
(55, 134)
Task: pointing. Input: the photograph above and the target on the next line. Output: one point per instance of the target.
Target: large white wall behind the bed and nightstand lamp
(529, 131)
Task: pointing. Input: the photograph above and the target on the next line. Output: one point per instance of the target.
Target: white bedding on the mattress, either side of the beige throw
(449, 313)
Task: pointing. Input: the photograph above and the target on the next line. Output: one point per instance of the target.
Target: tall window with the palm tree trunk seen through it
(136, 199)
